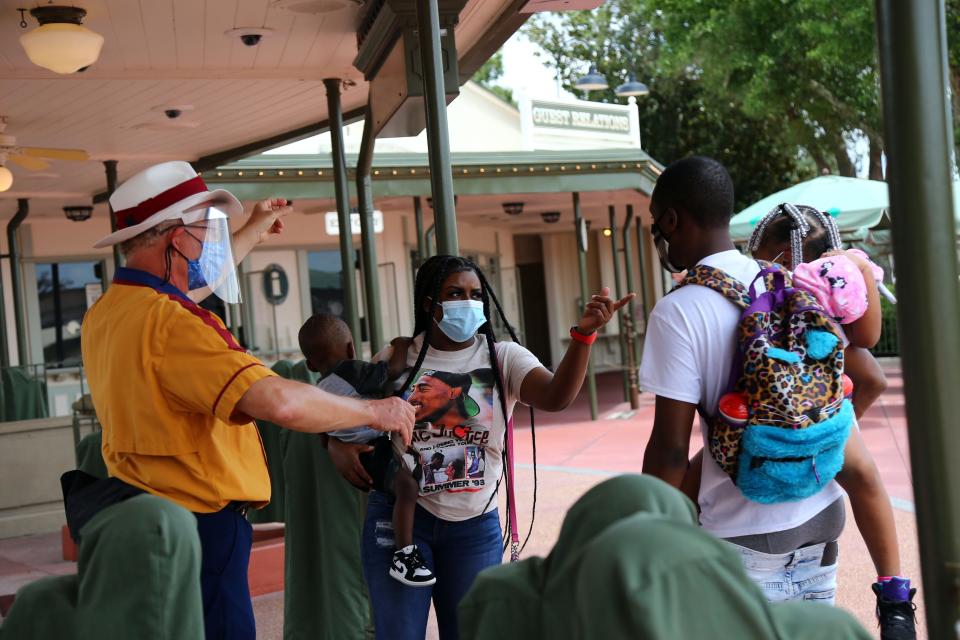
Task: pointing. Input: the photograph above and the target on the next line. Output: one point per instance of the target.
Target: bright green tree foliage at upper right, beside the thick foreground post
(813, 63)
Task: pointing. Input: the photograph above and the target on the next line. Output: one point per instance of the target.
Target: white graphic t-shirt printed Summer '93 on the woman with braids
(460, 429)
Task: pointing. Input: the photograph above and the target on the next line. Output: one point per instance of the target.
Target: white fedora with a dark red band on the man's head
(160, 193)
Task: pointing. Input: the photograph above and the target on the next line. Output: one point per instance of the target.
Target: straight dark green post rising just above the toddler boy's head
(347, 255)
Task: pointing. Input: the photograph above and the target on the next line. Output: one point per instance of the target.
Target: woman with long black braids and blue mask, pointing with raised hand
(456, 528)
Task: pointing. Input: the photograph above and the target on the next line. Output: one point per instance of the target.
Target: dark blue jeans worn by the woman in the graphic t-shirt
(455, 551)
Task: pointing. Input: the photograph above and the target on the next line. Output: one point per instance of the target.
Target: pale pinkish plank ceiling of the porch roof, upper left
(174, 53)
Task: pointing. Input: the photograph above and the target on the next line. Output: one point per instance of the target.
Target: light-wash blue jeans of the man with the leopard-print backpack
(792, 576)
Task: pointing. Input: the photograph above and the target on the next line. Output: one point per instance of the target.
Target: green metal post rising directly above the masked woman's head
(438, 137)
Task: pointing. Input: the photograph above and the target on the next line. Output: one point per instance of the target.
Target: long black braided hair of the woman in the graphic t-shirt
(426, 299)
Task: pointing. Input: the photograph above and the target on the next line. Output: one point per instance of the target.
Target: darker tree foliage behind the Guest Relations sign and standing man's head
(683, 115)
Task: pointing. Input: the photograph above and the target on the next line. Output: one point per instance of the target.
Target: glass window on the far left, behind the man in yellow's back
(63, 294)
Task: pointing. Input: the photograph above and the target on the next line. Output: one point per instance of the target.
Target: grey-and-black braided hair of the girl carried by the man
(810, 232)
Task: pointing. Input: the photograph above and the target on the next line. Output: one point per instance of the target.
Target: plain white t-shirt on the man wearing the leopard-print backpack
(688, 351)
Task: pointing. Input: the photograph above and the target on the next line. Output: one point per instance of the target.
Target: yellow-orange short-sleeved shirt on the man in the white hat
(165, 376)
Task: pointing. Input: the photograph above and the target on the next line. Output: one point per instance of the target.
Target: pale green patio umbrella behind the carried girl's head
(856, 203)
